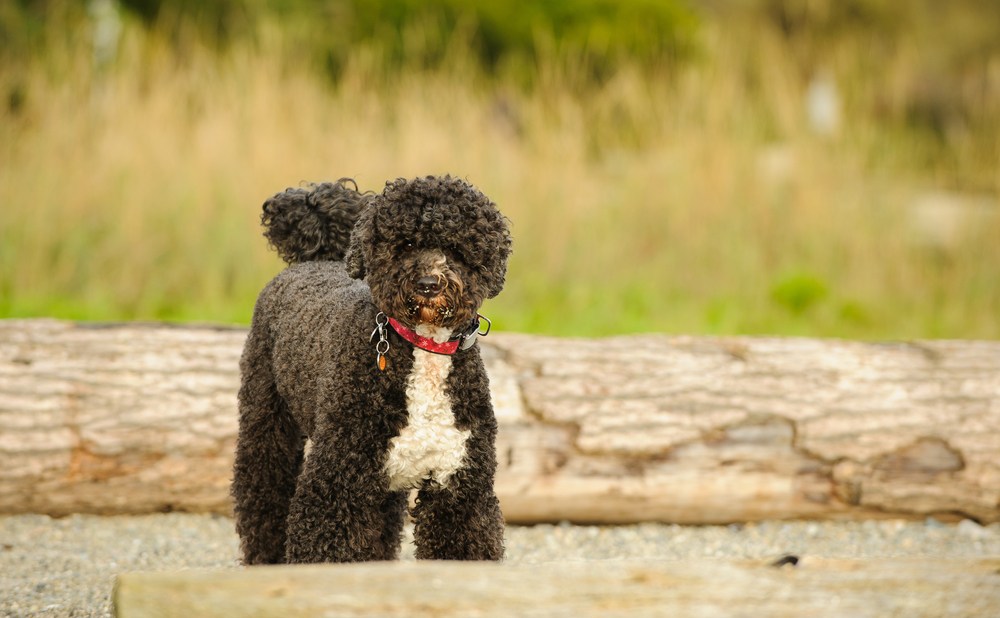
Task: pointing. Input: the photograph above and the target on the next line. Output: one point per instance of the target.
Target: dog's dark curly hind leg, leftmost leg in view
(269, 451)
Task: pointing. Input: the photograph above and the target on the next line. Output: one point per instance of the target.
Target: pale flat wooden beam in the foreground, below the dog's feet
(843, 588)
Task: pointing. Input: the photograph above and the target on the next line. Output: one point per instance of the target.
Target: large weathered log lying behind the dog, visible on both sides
(133, 418)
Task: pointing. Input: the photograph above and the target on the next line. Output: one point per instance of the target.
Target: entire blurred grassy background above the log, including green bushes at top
(821, 167)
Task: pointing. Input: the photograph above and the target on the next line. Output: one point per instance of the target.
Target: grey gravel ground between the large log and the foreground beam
(66, 567)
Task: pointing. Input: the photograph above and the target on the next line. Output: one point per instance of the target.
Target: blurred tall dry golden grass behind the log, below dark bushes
(687, 201)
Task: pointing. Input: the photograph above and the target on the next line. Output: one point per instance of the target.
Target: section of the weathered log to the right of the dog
(697, 430)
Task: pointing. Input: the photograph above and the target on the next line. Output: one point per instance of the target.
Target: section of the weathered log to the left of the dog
(116, 419)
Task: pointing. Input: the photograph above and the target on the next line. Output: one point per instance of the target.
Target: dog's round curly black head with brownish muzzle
(432, 250)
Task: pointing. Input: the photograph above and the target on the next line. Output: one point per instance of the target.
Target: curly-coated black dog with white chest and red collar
(365, 347)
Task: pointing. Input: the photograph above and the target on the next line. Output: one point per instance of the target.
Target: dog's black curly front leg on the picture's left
(338, 514)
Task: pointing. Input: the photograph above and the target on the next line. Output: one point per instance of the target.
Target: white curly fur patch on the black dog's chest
(430, 447)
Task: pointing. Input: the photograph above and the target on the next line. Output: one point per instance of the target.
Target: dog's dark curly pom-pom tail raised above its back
(313, 222)
